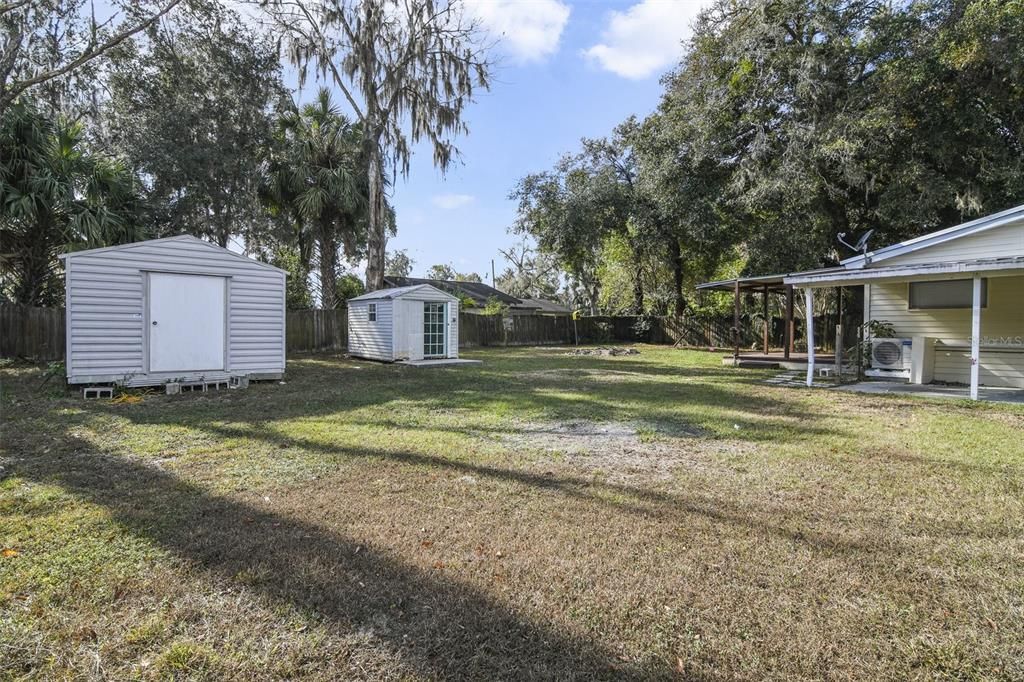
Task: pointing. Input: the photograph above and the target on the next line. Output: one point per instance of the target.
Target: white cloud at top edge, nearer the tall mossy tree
(529, 30)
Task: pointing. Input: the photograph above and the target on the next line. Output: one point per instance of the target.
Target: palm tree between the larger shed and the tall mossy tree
(318, 179)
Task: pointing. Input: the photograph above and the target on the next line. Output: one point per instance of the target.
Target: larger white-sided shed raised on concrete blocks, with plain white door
(173, 310)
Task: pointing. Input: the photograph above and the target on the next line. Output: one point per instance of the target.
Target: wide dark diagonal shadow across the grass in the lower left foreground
(433, 625)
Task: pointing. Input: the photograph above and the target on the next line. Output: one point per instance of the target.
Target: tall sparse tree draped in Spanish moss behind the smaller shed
(408, 70)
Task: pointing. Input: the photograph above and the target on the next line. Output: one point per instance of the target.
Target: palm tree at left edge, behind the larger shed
(56, 196)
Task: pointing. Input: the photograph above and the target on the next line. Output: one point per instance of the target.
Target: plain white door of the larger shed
(187, 323)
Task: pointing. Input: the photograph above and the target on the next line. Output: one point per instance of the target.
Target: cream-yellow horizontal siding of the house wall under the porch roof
(1002, 331)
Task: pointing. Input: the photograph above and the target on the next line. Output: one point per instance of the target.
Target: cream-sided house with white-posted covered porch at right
(954, 299)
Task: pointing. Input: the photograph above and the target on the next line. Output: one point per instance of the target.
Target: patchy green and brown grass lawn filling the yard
(539, 516)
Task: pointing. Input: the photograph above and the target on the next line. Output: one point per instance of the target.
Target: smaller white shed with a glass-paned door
(407, 323)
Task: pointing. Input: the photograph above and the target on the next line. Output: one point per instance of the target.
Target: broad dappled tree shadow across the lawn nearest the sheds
(501, 399)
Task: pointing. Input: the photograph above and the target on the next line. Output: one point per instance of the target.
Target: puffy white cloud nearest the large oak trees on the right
(647, 38)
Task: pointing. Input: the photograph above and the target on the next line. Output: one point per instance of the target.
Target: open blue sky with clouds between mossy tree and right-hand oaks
(568, 70)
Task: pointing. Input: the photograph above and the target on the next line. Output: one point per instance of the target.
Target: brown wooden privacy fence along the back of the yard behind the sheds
(39, 333)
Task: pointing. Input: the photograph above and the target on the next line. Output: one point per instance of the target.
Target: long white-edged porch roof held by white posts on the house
(837, 277)
